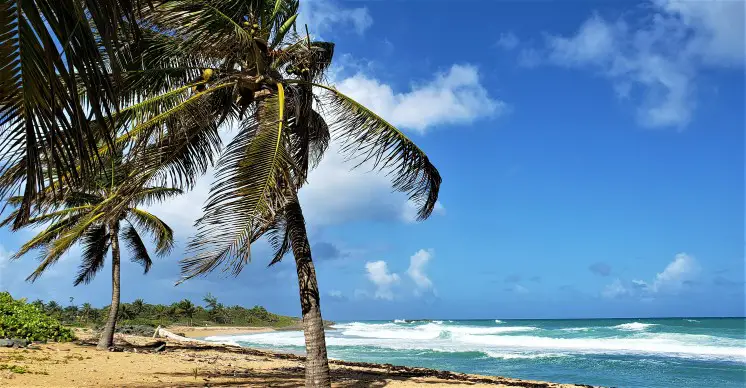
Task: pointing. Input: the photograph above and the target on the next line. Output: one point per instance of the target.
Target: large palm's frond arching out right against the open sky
(368, 137)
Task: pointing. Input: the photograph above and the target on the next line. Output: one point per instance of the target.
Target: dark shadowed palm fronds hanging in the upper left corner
(47, 46)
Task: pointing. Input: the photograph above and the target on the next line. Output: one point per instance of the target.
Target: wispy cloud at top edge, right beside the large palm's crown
(325, 15)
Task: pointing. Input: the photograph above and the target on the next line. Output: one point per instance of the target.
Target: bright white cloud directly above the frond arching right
(454, 97)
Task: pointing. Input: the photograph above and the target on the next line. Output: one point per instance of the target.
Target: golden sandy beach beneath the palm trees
(79, 364)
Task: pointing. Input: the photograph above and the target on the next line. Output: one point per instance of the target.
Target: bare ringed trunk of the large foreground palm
(317, 365)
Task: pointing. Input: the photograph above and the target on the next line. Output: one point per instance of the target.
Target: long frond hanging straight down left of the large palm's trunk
(252, 180)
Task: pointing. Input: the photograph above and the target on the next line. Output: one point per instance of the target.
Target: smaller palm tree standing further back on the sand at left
(96, 216)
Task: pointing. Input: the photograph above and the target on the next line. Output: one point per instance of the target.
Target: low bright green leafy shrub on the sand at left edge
(19, 319)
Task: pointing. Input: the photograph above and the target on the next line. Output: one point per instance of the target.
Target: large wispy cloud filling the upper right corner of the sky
(659, 56)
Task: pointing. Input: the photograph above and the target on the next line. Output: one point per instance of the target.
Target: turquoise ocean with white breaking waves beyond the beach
(672, 352)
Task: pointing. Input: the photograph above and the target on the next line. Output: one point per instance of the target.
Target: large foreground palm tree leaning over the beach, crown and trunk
(202, 66)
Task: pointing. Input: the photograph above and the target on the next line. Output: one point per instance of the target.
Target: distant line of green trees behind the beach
(183, 312)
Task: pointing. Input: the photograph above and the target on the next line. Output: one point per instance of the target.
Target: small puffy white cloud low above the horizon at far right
(677, 274)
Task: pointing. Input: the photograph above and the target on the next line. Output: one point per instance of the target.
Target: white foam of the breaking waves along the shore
(513, 341)
